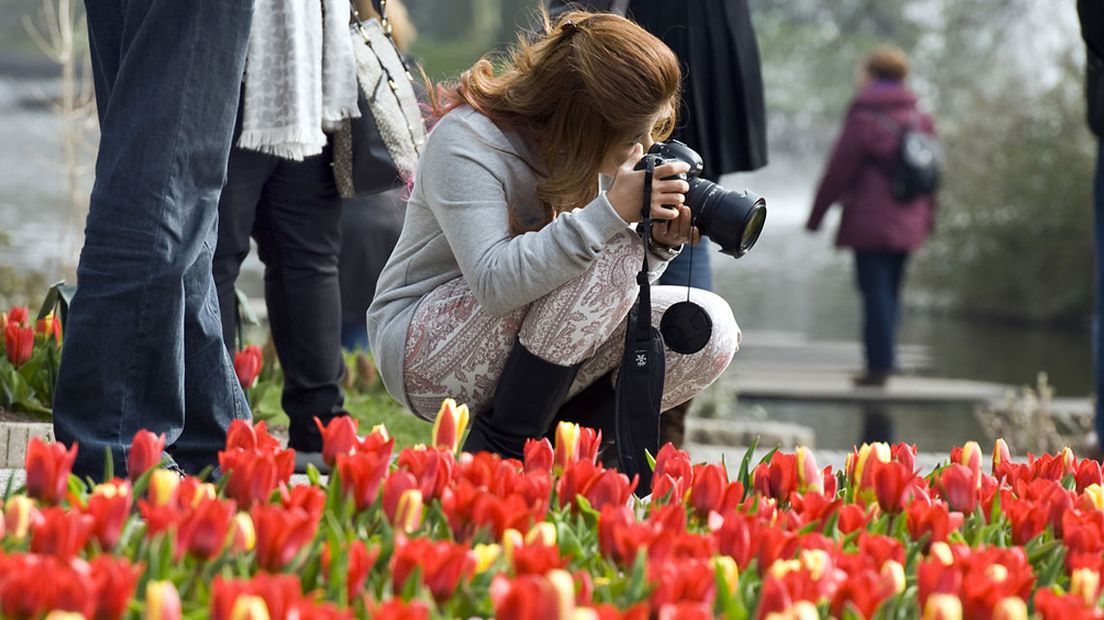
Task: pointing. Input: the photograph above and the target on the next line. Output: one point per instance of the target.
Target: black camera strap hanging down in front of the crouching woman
(640, 388)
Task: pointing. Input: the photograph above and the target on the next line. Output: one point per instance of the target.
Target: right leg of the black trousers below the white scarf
(299, 233)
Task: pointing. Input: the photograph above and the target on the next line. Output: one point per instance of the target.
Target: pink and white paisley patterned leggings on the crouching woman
(455, 349)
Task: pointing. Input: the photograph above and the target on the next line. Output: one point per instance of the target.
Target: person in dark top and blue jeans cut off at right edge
(1091, 14)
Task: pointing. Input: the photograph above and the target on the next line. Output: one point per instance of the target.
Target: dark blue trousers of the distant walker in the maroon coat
(880, 275)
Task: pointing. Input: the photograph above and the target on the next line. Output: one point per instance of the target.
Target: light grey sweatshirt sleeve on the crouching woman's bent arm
(462, 180)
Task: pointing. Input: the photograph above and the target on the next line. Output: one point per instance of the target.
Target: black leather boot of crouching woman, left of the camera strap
(527, 399)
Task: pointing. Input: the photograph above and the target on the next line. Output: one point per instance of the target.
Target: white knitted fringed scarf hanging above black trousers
(301, 77)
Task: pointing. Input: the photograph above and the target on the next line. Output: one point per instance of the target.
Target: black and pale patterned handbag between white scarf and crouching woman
(380, 149)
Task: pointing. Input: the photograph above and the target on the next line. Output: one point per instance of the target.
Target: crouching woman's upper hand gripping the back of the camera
(627, 194)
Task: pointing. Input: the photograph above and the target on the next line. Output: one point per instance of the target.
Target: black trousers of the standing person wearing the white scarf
(293, 211)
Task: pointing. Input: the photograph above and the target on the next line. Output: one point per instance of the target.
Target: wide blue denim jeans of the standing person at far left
(144, 344)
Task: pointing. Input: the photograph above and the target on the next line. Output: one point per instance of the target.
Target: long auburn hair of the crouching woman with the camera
(582, 85)
